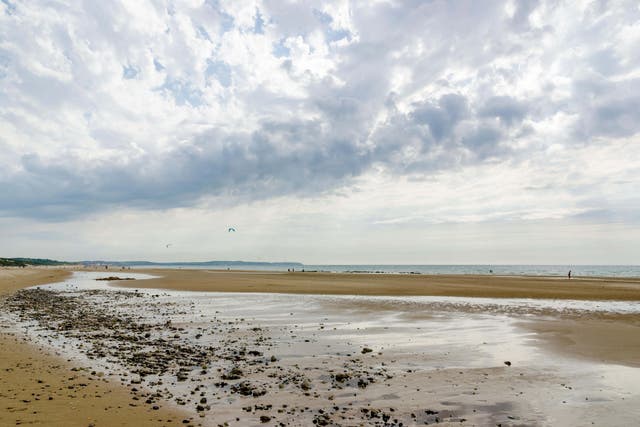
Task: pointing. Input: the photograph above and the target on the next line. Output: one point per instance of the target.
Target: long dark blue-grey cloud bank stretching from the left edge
(292, 157)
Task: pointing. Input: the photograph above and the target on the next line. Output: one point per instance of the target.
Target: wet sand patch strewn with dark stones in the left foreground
(221, 371)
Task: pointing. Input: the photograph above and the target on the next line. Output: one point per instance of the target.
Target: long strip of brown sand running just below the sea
(393, 284)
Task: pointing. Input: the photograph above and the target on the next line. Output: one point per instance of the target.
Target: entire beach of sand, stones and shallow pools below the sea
(263, 348)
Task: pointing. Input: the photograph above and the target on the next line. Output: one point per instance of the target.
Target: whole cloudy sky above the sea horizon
(328, 132)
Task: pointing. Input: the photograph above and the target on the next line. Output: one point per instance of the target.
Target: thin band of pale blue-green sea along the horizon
(482, 269)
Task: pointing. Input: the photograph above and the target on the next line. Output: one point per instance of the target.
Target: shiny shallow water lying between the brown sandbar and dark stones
(427, 334)
